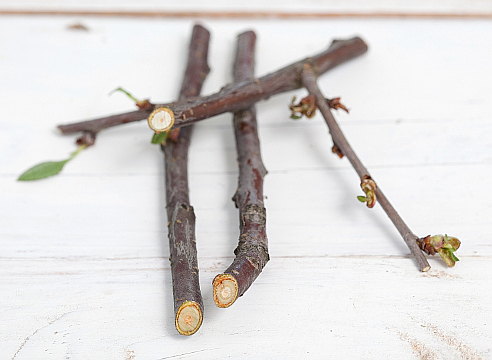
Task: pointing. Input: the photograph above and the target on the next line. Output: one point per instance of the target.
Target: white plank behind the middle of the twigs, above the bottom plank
(310, 213)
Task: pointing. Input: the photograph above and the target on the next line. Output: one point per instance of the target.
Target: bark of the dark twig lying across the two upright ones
(236, 96)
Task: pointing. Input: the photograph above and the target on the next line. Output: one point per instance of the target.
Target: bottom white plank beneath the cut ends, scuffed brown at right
(298, 308)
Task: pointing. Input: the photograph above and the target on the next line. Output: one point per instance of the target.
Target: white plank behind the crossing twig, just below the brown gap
(427, 103)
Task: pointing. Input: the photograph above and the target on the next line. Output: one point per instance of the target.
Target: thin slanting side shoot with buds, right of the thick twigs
(309, 81)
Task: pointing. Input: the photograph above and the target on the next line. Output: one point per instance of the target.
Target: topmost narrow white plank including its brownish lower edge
(223, 8)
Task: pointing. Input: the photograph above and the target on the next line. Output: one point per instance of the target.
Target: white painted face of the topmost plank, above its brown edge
(350, 6)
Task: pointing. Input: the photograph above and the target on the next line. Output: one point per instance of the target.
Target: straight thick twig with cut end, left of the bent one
(188, 302)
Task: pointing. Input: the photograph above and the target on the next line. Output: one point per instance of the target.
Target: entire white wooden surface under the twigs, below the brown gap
(83, 262)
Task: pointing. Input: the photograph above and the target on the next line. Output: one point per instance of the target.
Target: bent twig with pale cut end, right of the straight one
(252, 250)
